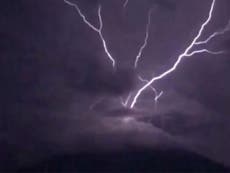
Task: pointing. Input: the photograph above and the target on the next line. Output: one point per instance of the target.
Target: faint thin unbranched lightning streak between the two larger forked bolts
(145, 40)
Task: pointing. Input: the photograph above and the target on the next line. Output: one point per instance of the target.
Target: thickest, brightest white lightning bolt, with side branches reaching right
(186, 53)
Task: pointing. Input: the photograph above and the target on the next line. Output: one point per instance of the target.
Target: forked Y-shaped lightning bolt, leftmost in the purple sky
(98, 30)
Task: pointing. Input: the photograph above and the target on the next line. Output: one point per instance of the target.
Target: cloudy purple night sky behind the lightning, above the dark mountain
(60, 94)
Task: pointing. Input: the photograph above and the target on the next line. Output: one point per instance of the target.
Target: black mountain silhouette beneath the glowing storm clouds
(127, 161)
